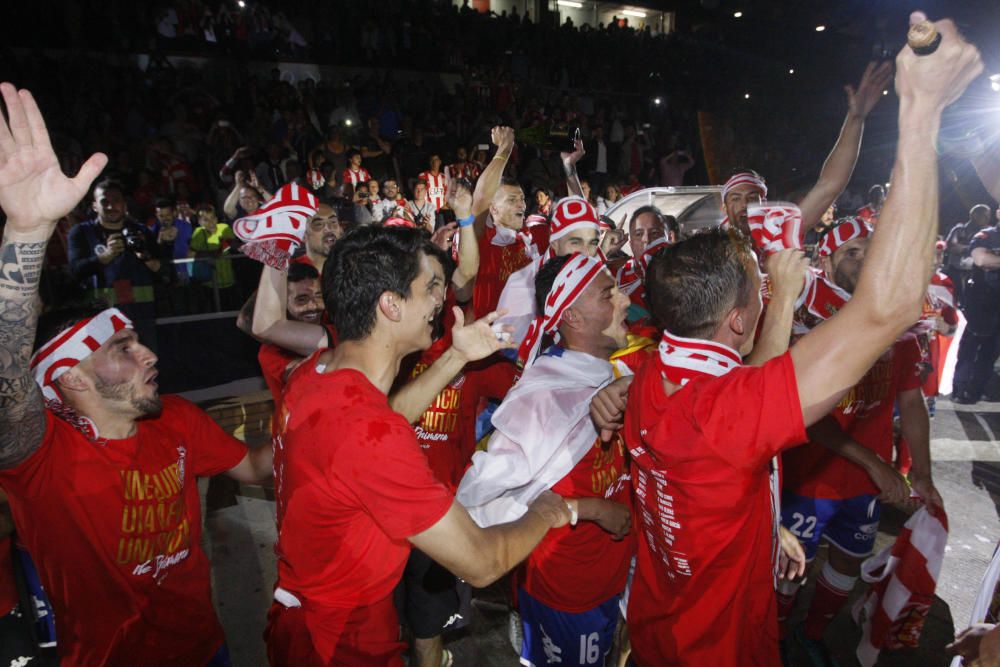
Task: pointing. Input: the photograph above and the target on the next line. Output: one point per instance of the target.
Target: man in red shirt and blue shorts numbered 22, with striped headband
(834, 484)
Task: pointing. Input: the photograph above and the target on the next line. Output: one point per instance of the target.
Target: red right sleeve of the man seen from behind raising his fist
(752, 414)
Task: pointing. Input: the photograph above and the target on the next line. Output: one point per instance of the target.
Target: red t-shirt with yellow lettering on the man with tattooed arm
(115, 531)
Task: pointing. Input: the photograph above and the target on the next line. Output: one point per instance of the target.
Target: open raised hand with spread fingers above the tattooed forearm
(34, 192)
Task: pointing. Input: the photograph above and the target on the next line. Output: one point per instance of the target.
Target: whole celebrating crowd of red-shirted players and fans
(684, 415)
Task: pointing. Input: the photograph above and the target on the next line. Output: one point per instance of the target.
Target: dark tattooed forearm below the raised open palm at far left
(22, 412)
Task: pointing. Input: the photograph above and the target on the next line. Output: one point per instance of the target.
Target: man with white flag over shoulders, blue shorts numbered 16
(571, 583)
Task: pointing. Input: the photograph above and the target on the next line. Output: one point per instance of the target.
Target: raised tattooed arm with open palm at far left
(34, 194)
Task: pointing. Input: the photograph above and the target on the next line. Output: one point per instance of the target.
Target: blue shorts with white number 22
(849, 524)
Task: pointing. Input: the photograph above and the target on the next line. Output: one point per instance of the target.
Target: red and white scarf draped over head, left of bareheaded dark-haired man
(277, 228)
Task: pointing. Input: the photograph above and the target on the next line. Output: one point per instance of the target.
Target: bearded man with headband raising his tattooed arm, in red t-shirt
(101, 475)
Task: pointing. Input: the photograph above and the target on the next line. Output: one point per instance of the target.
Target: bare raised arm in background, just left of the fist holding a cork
(839, 165)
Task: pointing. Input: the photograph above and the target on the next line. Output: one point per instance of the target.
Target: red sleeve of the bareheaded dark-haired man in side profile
(395, 486)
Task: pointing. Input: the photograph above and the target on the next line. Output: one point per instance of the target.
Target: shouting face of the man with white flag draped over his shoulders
(596, 321)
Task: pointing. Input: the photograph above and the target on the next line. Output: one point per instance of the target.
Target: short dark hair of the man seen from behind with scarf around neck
(690, 285)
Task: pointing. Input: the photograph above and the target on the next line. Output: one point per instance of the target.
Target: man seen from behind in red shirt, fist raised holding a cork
(702, 429)
